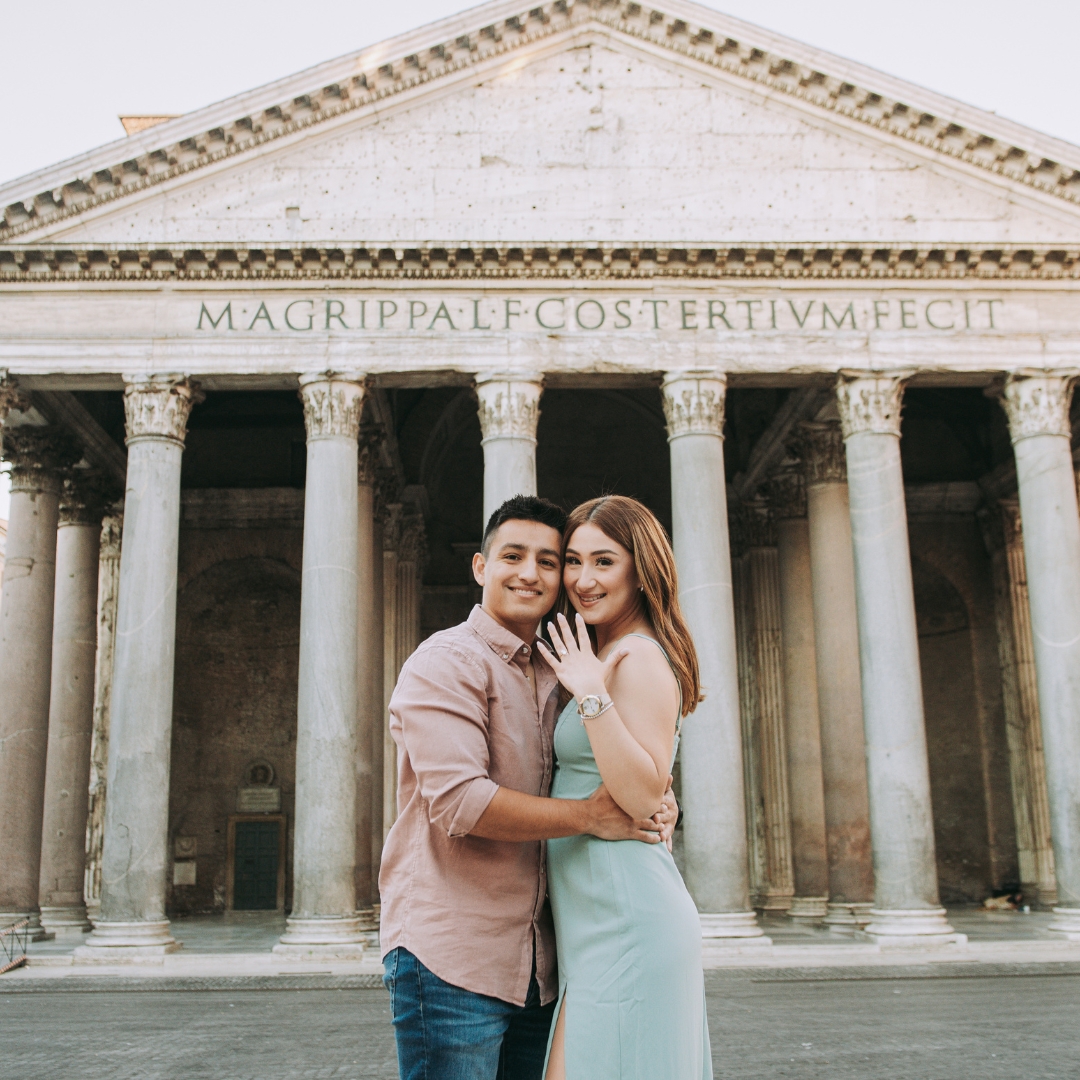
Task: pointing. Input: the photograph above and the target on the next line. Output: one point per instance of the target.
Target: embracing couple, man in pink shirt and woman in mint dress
(535, 926)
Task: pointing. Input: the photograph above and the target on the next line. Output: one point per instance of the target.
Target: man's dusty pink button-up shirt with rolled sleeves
(467, 722)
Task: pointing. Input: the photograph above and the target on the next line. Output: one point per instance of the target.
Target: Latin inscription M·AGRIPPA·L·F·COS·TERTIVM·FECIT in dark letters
(575, 315)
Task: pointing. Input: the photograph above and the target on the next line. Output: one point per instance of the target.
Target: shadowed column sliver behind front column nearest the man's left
(370, 718)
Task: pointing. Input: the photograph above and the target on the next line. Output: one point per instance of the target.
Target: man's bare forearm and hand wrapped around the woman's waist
(516, 817)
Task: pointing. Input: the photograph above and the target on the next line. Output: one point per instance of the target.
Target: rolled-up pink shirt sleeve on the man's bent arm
(439, 714)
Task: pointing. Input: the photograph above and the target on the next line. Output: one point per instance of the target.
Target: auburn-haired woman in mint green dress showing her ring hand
(632, 1004)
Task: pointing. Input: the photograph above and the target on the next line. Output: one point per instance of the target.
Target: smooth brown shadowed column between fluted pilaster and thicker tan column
(809, 845)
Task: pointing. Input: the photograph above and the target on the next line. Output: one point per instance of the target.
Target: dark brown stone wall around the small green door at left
(237, 655)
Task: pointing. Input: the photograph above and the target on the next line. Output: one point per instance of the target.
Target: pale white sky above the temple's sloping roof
(72, 69)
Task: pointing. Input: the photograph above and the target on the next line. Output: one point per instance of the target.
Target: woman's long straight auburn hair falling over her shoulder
(634, 526)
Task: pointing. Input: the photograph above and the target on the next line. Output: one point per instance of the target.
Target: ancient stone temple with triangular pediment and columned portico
(267, 367)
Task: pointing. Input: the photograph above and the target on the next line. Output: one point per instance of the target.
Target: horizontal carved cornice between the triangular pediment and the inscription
(532, 261)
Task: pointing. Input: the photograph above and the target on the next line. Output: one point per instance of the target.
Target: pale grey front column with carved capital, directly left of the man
(325, 921)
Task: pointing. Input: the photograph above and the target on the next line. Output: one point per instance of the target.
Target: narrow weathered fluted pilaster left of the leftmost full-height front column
(109, 592)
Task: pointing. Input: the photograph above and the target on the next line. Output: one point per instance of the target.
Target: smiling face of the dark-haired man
(521, 573)
